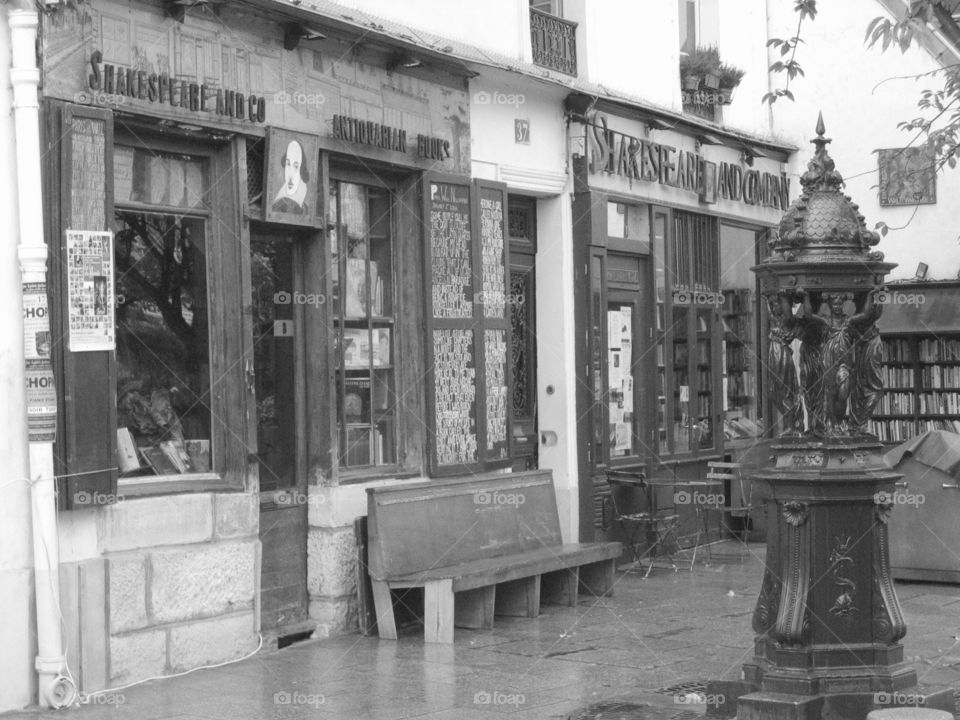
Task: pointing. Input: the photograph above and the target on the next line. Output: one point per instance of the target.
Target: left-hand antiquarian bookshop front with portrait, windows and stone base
(250, 232)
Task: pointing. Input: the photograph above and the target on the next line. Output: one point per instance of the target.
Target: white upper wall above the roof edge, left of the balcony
(498, 25)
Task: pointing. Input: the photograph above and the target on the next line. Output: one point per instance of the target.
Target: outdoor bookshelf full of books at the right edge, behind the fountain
(920, 368)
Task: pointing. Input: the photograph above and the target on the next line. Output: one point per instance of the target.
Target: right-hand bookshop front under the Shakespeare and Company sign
(666, 227)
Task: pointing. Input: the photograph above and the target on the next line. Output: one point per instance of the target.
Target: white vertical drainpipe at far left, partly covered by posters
(54, 690)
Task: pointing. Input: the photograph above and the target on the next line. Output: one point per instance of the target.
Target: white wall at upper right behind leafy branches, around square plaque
(861, 111)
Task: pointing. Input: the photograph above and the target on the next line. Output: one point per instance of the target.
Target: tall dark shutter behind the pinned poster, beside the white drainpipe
(79, 172)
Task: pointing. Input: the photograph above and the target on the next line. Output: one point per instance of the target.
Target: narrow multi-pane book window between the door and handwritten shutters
(362, 253)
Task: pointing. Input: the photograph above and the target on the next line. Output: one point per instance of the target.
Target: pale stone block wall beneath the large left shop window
(182, 580)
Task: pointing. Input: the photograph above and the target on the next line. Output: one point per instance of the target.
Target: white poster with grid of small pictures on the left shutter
(90, 292)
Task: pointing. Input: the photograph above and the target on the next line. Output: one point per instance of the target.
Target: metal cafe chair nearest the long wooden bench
(638, 527)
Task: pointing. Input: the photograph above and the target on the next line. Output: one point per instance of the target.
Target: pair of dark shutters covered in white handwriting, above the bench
(466, 276)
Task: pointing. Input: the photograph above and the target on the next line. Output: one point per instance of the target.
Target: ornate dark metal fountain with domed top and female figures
(828, 622)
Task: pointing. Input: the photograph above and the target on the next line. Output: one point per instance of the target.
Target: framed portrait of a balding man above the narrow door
(290, 192)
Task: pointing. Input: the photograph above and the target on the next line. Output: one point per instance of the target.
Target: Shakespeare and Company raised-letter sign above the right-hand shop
(634, 158)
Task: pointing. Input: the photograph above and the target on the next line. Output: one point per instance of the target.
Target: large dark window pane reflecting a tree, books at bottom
(163, 365)
